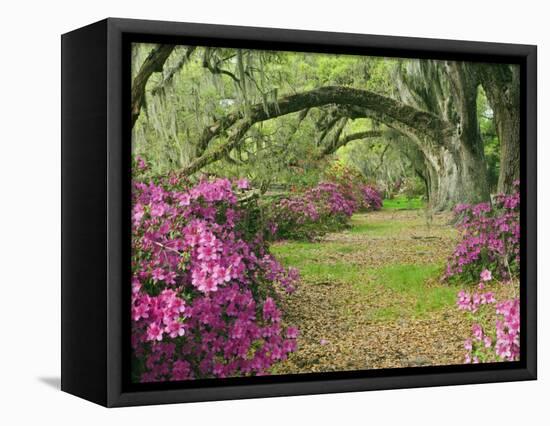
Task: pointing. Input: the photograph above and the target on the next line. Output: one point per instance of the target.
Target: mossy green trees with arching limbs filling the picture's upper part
(279, 118)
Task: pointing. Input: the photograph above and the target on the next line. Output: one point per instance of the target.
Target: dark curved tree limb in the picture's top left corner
(153, 63)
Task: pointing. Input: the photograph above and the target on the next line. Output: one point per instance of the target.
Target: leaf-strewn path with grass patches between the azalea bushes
(371, 296)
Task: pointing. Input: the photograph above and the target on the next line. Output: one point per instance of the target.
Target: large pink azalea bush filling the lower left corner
(204, 299)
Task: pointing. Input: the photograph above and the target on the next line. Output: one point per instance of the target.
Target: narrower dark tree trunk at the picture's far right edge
(501, 85)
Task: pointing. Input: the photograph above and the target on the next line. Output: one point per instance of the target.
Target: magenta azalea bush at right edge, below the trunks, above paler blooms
(490, 237)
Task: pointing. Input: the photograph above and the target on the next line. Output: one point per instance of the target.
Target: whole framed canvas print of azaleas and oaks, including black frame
(252, 212)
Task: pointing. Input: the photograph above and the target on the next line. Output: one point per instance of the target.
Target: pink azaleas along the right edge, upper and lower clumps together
(489, 248)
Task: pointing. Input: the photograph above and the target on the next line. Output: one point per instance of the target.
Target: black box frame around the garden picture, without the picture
(96, 199)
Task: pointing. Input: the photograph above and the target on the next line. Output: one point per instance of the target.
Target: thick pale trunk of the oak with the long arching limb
(457, 169)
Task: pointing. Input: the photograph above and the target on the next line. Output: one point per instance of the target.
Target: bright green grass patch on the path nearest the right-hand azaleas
(408, 282)
